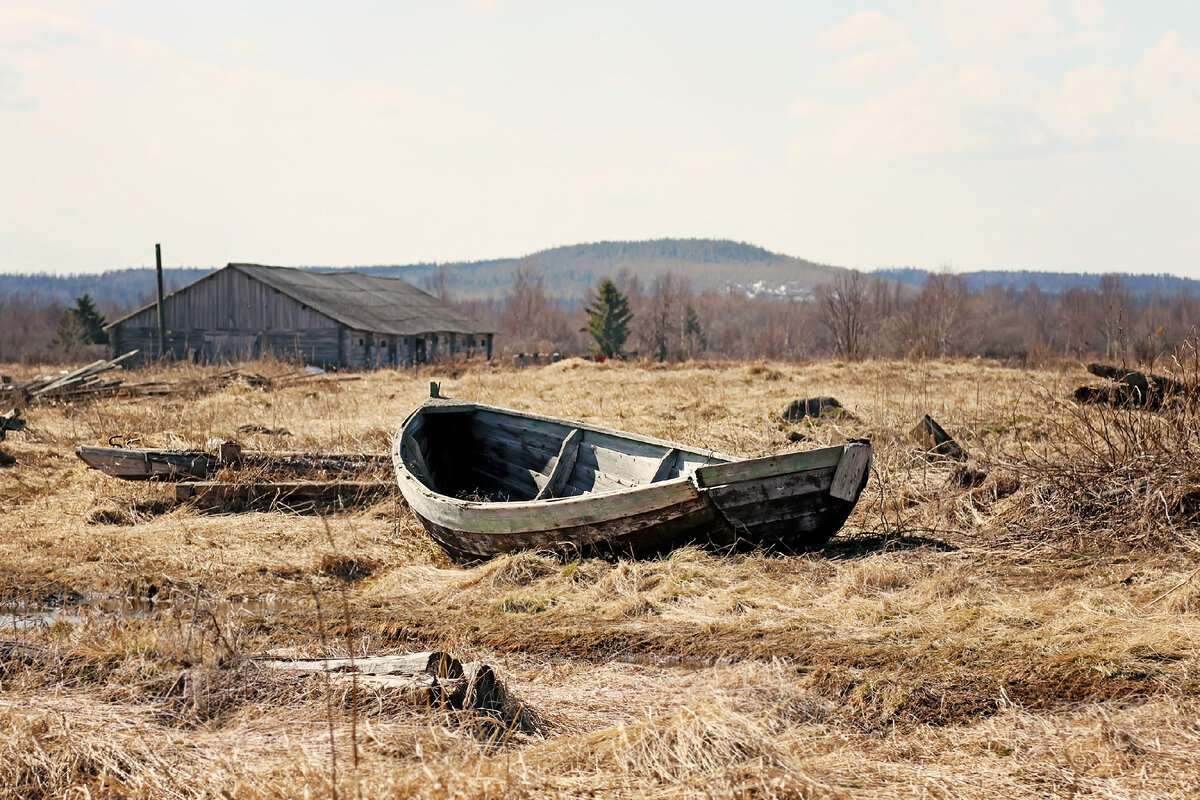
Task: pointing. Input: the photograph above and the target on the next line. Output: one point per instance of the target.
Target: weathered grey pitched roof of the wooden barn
(364, 303)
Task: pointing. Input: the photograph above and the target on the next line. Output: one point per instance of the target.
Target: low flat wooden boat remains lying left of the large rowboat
(148, 465)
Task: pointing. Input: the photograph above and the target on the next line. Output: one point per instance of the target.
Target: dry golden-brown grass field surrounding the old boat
(1024, 627)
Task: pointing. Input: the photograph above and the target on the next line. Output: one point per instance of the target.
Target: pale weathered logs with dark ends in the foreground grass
(431, 678)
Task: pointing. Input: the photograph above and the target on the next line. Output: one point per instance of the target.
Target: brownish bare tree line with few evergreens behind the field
(663, 318)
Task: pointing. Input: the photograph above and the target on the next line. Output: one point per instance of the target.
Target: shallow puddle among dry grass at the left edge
(27, 615)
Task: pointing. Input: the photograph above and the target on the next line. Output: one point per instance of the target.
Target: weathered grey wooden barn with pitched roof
(331, 320)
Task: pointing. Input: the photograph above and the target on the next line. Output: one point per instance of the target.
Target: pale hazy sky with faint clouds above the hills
(971, 135)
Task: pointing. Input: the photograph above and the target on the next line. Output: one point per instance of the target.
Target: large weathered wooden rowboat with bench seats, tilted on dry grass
(487, 480)
